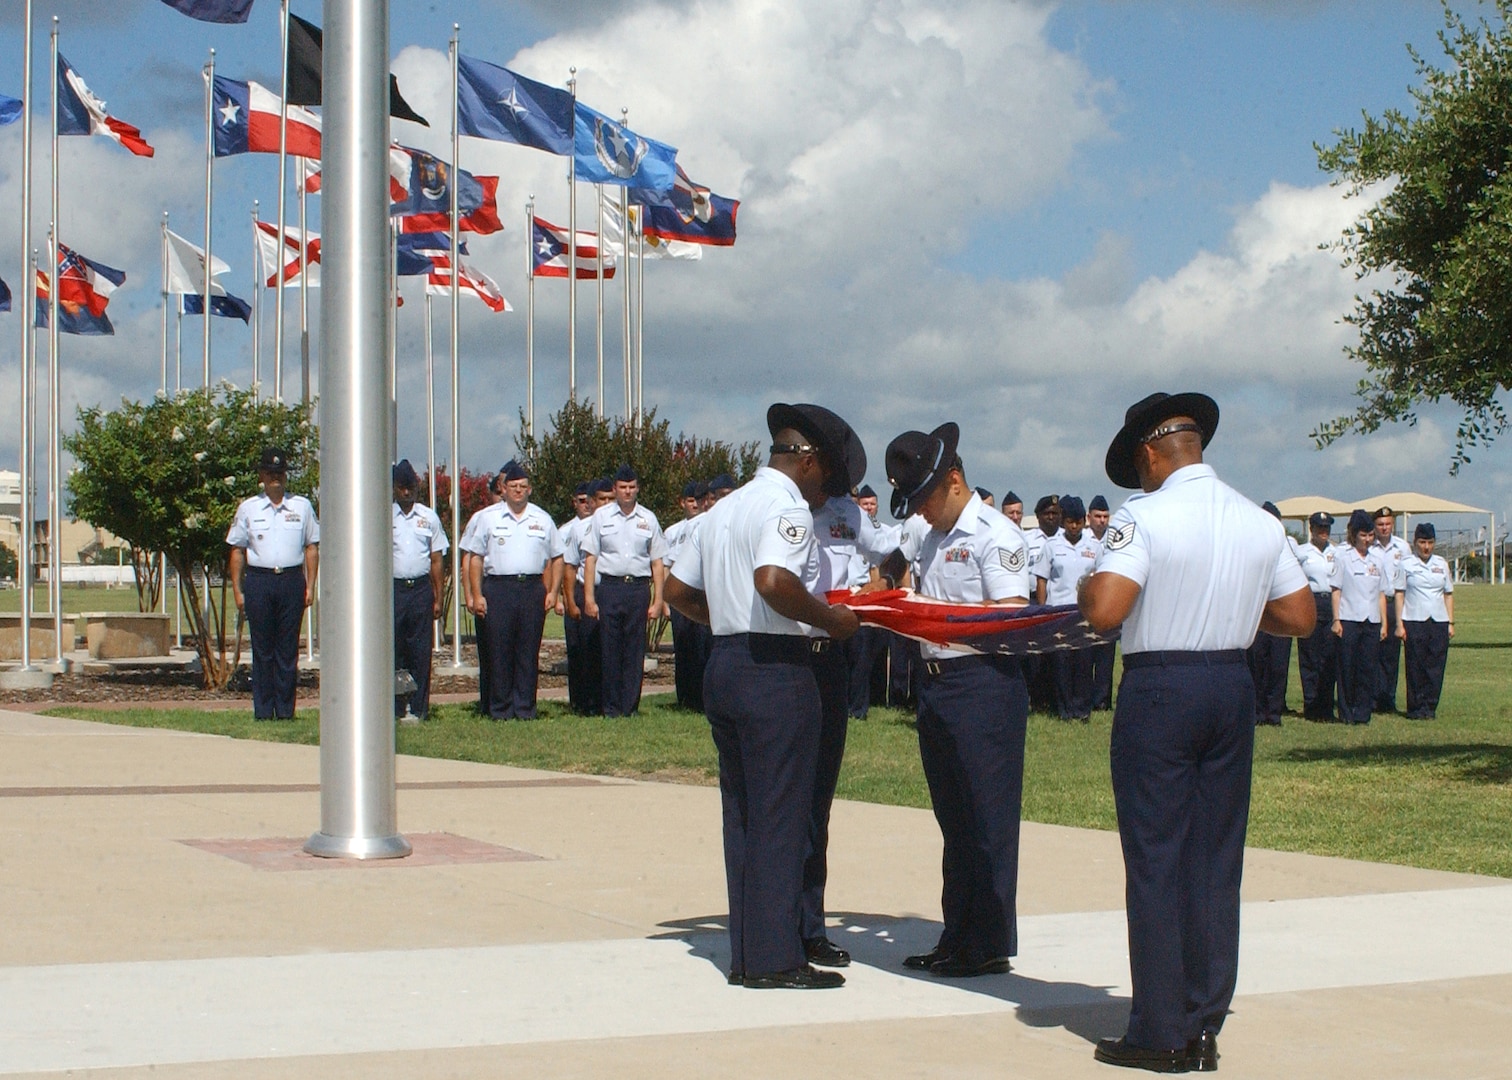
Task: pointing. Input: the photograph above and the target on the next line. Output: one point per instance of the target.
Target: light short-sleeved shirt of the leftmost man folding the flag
(764, 523)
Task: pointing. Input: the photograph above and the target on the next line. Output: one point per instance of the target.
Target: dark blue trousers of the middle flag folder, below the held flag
(971, 719)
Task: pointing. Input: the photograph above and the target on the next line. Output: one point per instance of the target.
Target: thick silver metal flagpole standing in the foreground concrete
(359, 816)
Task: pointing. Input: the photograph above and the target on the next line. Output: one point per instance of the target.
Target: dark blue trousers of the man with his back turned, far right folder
(1183, 743)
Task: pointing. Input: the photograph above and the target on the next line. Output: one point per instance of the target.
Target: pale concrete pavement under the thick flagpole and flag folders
(161, 919)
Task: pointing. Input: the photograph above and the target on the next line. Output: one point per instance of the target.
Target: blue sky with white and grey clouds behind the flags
(1020, 217)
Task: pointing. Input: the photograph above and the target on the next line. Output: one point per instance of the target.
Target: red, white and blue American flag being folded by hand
(984, 628)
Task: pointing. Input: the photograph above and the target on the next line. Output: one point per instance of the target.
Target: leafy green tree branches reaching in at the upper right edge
(1439, 243)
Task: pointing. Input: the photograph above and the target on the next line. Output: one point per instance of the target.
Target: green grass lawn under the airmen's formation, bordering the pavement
(1430, 795)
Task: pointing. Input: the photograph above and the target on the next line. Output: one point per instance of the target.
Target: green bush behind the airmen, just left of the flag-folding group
(583, 445)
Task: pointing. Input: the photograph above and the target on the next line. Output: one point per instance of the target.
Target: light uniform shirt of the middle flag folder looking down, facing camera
(982, 559)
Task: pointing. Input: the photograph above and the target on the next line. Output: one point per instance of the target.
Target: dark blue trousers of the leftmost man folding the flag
(764, 713)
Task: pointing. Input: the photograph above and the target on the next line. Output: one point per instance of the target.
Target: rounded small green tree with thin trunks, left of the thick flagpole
(167, 476)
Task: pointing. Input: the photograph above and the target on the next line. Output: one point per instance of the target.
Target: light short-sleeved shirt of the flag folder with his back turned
(1207, 562)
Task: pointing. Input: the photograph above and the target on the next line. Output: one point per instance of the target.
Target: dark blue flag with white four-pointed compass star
(495, 104)
